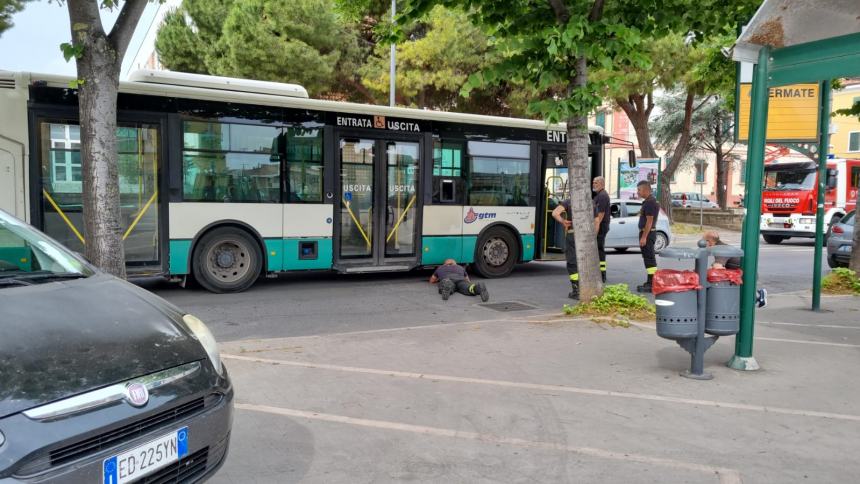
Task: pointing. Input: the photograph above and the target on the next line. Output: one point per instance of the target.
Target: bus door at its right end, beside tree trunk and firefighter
(554, 189)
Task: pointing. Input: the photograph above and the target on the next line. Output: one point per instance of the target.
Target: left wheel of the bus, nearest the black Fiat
(227, 259)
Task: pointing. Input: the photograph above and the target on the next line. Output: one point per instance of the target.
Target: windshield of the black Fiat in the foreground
(27, 257)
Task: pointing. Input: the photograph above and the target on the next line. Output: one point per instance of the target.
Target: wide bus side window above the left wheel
(230, 162)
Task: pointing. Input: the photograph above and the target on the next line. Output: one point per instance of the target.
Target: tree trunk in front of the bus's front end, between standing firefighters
(582, 212)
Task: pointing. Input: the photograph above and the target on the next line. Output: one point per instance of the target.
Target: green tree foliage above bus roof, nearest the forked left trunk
(298, 41)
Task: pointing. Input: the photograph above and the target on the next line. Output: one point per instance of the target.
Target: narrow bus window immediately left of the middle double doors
(304, 165)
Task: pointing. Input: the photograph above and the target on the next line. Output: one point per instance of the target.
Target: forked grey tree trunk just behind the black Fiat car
(98, 67)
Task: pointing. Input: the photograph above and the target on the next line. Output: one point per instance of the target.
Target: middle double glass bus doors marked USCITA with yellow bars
(377, 225)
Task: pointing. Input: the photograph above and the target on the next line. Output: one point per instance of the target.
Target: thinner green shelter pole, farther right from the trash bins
(823, 141)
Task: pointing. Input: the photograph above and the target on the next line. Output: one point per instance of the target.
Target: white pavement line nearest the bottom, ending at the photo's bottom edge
(726, 476)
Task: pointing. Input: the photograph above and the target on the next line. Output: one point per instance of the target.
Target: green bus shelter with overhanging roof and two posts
(789, 42)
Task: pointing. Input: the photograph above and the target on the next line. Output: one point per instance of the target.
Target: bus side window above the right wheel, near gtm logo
(498, 174)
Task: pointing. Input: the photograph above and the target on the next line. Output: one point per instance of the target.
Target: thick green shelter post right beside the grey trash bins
(743, 358)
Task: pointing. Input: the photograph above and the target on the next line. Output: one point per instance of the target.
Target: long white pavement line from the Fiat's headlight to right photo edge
(549, 388)
